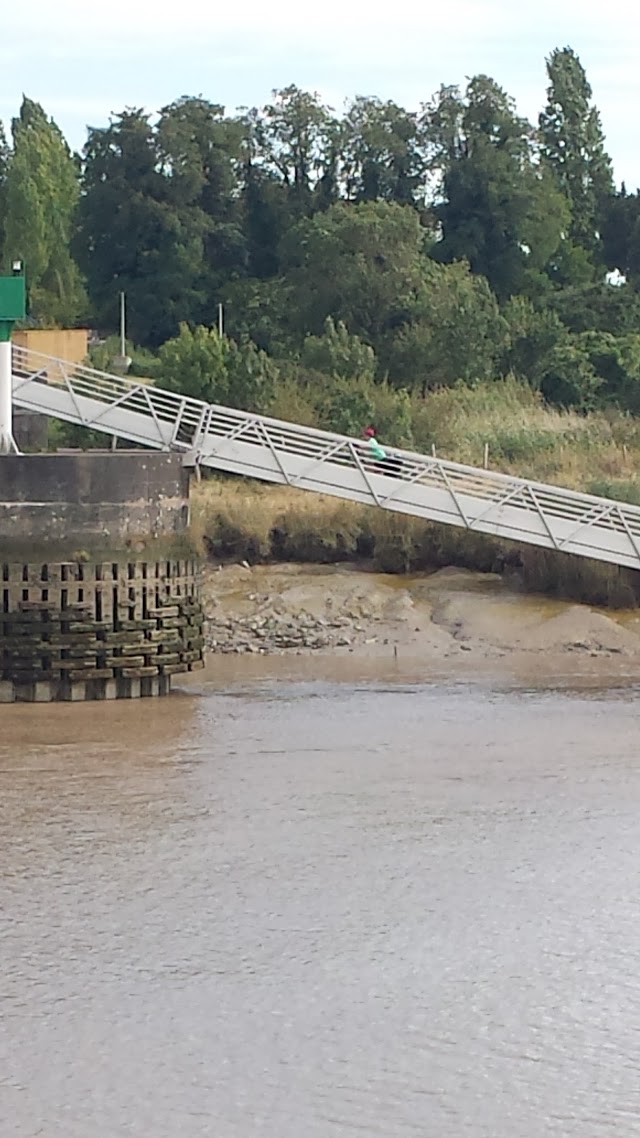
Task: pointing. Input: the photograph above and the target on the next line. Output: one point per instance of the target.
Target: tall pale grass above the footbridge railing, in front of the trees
(598, 453)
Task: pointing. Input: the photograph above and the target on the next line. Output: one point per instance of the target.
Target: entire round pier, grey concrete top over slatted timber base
(120, 616)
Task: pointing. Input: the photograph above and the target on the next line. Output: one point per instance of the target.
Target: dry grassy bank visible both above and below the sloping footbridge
(598, 453)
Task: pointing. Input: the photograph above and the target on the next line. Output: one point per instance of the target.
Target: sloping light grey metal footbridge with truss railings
(281, 452)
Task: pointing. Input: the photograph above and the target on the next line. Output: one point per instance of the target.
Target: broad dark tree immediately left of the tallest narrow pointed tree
(497, 207)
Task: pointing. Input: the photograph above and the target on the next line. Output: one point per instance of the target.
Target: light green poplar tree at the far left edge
(40, 200)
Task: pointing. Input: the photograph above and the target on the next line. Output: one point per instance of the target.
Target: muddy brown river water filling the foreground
(306, 903)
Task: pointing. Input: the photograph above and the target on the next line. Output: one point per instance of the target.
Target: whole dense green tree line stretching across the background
(380, 251)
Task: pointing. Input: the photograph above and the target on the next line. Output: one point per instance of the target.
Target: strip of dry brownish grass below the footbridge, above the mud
(242, 522)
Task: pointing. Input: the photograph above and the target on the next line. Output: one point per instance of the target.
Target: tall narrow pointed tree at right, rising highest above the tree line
(573, 145)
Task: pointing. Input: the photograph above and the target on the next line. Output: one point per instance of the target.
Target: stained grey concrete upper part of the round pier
(92, 500)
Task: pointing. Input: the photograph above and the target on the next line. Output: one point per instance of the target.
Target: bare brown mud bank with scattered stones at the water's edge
(452, 619)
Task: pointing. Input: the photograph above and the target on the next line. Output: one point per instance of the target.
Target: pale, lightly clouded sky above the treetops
(85, 62)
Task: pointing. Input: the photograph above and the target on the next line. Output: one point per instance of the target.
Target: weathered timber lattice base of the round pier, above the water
(97, 631)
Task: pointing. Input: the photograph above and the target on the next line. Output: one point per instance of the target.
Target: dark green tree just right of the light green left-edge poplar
(142, 232)
